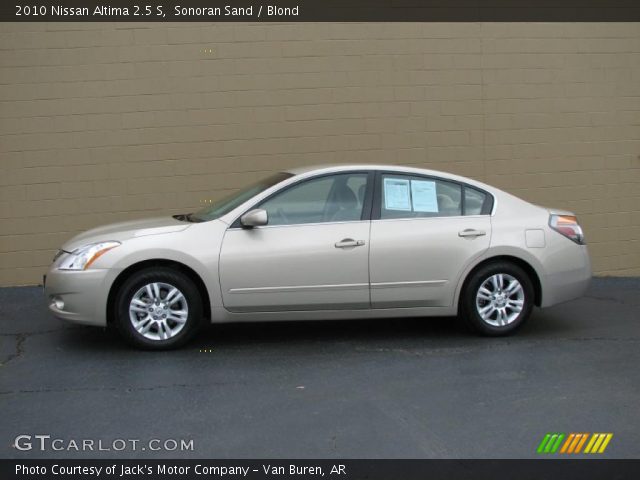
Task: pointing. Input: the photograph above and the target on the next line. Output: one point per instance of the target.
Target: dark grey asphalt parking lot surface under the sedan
(411, 388)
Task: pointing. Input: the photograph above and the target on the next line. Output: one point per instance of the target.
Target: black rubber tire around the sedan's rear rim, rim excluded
(469, 308)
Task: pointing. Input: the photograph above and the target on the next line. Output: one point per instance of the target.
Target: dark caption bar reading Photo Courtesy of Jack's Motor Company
(583, 469)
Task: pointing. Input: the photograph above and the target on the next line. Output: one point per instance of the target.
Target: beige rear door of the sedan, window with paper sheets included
(424, 232)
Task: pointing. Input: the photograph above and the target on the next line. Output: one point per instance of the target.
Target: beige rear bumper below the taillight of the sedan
(567, 278)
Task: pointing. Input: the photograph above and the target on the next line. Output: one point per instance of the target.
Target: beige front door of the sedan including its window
(311, 255)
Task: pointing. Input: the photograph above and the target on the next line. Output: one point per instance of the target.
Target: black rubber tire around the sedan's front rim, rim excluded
(163, 276)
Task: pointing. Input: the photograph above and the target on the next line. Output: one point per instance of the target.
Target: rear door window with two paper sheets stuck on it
(407, 196)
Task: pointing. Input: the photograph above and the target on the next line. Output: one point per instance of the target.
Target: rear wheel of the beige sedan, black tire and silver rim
(497, 299)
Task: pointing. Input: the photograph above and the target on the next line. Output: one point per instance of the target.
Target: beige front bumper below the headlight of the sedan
(77, 296)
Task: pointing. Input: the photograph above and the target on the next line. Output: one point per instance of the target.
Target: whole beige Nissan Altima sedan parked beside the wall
(359, 241)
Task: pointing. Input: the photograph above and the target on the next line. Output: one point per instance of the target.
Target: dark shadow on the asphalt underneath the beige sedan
(435, 331)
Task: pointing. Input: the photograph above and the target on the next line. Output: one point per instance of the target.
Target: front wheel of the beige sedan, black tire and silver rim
(158, 309)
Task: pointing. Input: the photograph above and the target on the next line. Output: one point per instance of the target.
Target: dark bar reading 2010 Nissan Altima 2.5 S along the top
(321, 11)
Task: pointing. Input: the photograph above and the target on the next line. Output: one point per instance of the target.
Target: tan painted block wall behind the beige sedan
(105, 122)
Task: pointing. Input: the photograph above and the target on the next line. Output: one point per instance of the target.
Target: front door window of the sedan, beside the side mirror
(332, 198)
